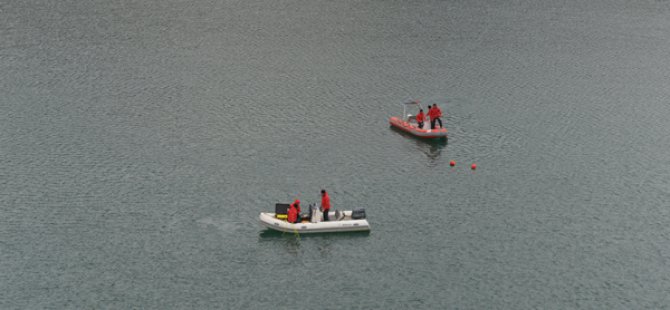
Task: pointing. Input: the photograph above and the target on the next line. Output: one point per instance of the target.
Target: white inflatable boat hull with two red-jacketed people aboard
(344, 224)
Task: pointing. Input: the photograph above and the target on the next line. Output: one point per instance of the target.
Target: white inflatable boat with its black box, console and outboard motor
(341, 221)
